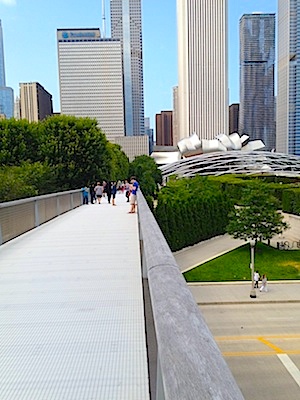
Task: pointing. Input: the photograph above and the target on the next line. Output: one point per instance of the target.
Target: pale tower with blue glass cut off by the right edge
(288, 92)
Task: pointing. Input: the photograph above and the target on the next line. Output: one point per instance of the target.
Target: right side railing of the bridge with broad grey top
(189, 364)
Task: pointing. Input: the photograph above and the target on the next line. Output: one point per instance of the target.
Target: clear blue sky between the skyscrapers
(29, 30)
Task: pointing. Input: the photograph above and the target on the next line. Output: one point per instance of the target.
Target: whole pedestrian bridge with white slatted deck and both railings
(93, 306)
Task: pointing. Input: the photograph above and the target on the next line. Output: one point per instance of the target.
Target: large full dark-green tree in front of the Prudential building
(78, 150)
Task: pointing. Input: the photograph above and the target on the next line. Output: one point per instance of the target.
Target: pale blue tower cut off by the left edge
(6, 93)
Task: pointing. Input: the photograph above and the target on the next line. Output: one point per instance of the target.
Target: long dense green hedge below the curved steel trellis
(191, 210)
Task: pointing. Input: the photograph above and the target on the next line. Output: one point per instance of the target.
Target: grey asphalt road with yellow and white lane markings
(261, 344)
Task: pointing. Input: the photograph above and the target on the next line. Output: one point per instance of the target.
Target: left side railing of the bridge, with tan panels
(19, 216)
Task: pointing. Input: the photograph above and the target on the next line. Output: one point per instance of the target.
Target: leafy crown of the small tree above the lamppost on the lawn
(258, 217)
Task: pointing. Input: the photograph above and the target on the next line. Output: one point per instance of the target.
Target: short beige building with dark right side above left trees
(35, 102)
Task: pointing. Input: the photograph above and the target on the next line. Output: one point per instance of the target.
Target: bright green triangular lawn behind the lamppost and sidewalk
(234, 265)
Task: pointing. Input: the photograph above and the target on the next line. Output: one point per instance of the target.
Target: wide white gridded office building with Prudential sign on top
(90, 78)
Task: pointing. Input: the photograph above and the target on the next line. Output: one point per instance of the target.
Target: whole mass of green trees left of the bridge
(59, 153)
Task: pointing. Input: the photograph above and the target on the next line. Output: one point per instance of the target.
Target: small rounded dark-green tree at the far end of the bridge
(145, 169)
